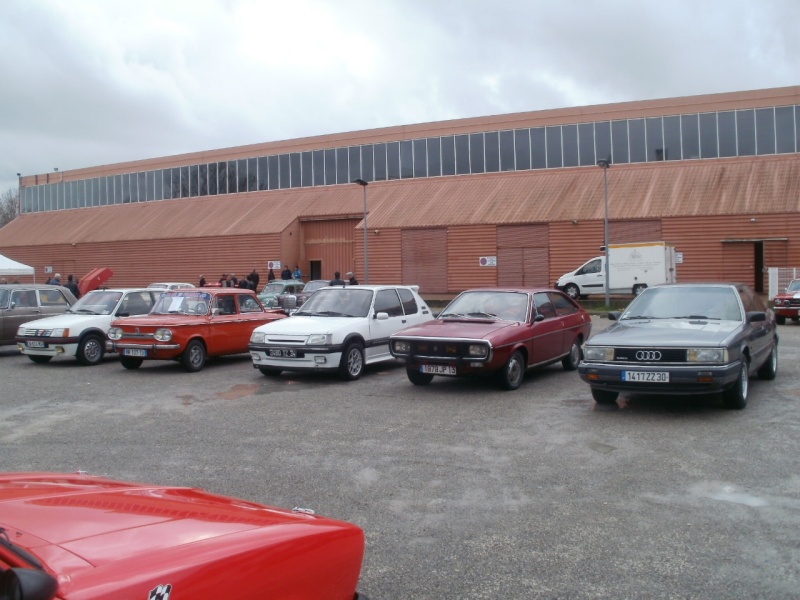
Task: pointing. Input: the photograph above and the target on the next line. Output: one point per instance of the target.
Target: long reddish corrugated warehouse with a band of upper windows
(512, 199)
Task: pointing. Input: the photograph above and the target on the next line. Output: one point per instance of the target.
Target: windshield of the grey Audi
(714, 303)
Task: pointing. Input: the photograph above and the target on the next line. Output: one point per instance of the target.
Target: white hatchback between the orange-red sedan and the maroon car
(338, 329)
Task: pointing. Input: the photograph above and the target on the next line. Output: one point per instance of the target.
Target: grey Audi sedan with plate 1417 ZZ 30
(689, 338)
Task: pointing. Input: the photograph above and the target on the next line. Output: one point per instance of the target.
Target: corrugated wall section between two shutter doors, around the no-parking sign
(465, 247)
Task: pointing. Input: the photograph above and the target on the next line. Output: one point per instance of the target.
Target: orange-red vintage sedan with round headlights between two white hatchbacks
(190, 325)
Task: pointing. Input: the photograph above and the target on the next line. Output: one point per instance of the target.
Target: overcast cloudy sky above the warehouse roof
(93, 82)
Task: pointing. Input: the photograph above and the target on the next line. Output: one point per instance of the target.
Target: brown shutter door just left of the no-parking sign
(424, 253)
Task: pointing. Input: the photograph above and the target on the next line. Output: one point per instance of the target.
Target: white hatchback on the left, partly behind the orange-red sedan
(81, 330)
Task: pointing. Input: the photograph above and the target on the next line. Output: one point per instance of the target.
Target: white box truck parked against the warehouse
(633, 268)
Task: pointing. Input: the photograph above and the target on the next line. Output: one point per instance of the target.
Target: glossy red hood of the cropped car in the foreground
(72, 522)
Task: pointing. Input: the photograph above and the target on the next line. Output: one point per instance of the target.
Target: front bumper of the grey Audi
(688, 379)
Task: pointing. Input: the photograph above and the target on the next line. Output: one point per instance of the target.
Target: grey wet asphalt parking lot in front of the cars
(463, 491)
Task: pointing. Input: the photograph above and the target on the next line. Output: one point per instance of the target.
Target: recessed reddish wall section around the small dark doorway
(332, 242)
